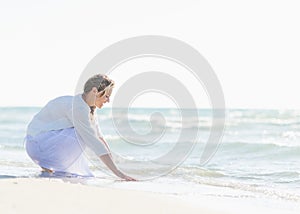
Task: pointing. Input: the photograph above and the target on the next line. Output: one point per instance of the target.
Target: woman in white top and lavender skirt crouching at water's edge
(58, 134)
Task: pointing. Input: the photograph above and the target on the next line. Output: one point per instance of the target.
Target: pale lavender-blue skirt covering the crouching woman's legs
(58, 151)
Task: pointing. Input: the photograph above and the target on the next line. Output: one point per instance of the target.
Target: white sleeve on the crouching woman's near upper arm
(87, 132)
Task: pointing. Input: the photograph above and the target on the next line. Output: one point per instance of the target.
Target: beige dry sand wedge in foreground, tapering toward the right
(55, 196)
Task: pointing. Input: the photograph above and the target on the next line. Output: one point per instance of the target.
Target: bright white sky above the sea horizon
(252, 46)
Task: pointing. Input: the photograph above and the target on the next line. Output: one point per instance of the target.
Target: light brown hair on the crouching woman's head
(101, 82)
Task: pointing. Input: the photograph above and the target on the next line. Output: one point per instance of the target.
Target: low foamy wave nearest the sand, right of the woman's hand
(215, 178)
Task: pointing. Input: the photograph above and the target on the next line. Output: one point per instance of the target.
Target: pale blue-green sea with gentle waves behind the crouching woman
(258, 158)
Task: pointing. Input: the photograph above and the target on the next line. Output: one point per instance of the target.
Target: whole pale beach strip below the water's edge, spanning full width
(47, 195)
